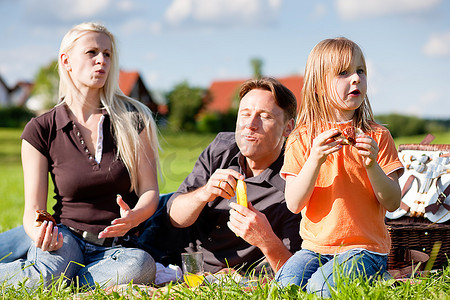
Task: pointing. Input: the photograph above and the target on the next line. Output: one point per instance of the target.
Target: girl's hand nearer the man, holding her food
(323, 145)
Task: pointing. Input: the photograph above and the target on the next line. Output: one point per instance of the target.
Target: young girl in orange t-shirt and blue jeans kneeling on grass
(342, 191)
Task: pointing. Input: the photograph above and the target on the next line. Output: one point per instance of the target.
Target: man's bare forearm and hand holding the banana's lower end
(253, 226)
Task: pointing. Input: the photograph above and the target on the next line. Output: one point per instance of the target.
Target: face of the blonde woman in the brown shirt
(89, 61)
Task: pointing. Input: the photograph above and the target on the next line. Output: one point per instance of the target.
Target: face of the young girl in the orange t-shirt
(348, 89)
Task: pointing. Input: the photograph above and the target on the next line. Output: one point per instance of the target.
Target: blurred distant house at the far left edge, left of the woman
(15, 96)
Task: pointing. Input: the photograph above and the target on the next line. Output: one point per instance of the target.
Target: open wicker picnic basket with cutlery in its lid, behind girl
(419, 232)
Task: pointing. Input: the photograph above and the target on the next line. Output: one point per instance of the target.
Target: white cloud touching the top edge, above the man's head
(230, 12)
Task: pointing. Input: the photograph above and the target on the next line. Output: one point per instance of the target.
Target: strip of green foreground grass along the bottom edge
(431, 286)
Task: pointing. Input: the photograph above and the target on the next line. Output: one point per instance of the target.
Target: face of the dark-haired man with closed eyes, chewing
(260, 127)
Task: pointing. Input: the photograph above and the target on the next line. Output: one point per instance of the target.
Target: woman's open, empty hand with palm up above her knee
(120, 226)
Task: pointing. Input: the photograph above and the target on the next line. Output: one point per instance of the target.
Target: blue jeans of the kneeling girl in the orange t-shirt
(317, 273)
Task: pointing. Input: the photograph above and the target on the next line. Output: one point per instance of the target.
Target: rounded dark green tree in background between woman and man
(184, 104)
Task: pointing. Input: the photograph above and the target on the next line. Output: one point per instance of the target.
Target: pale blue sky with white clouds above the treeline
(406, 42)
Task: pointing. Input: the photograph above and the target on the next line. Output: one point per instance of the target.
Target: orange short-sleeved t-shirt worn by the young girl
(343, 212)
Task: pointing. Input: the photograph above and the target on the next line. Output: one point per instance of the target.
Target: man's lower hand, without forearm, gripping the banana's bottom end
(250, 224)
